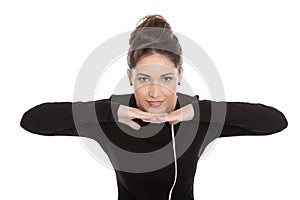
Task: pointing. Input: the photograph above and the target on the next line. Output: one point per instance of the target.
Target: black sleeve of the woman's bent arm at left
(58, 118)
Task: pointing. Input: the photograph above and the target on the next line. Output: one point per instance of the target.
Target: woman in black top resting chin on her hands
(149, 119)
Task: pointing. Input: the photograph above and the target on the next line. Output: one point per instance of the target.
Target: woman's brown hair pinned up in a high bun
(154, 35)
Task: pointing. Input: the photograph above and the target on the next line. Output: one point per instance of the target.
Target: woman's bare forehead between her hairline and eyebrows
(155, 64)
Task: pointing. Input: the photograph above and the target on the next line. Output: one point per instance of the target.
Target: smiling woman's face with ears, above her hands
(155, 79)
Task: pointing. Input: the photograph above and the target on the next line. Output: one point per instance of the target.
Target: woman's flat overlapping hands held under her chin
(126, 114)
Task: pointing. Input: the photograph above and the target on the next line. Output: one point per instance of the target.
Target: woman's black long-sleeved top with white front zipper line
(143, 178)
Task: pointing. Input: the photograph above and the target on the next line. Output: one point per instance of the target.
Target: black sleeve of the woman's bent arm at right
(243, 118)
